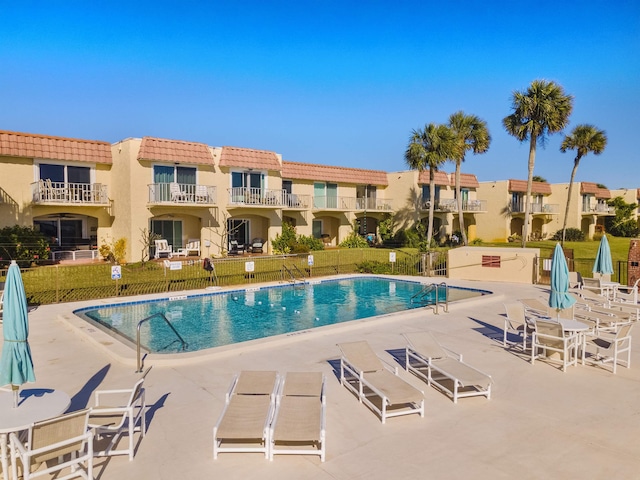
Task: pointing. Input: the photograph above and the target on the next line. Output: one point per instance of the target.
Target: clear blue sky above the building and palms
(329, 82)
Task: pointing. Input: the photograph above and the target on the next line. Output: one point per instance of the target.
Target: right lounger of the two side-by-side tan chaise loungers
(298, 426)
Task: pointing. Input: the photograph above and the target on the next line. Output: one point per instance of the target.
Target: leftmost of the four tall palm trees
(429, 148)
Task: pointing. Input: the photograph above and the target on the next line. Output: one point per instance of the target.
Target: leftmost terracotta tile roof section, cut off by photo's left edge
(29, 145)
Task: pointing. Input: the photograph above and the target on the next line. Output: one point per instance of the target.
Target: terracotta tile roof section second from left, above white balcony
(164, 150)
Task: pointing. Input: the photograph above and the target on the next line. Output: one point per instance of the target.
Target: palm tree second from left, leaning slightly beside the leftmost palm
(471, 134)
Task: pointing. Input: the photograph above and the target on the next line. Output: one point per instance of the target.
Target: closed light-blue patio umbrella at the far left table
(16, 365)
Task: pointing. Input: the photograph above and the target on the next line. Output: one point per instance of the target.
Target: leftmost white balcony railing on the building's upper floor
(48, 192)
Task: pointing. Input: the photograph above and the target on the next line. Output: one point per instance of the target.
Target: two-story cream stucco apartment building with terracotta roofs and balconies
(84, 193)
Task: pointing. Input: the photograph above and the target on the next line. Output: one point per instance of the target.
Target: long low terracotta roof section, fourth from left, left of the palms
(308, 171)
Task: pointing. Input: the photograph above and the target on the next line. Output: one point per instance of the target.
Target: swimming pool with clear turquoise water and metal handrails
(216, 319)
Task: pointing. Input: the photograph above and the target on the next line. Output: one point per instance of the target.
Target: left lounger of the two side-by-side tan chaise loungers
(244, 425)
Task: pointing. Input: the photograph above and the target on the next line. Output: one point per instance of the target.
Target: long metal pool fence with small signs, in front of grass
(73, 283)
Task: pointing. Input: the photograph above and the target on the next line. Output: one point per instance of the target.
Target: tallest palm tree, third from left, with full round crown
(543, 109)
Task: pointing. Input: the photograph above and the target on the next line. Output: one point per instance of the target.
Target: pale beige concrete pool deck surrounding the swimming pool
(539, 423)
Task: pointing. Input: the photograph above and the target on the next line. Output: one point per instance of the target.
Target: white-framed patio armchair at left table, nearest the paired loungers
(110, 423)
